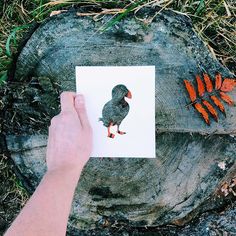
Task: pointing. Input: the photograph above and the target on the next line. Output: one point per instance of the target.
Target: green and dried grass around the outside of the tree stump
(213, 20)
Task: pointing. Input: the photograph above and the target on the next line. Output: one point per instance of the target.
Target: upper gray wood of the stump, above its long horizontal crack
(169, 43)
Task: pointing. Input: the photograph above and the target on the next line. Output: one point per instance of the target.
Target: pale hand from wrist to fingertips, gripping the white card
(70, 135)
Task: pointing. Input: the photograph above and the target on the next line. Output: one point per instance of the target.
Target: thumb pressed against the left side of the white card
(81, 110)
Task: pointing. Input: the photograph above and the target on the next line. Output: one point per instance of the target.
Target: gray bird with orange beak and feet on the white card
(116, 109)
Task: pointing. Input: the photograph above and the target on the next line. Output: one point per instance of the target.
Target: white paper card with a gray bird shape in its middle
(96, 84)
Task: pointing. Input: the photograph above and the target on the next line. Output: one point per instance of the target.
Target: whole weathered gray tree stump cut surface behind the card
(192, 161)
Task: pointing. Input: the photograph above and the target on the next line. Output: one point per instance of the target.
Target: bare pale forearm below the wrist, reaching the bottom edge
(47, 211)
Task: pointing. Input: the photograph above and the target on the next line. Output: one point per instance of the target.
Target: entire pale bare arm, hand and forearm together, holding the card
(68, 150)
